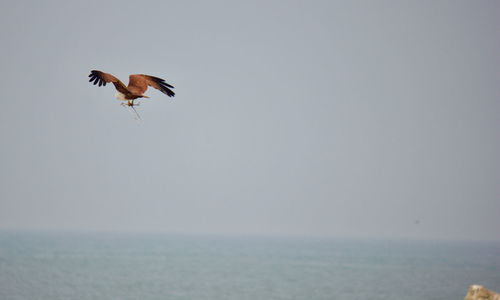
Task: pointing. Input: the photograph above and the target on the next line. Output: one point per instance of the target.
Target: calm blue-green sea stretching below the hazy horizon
(160, 266)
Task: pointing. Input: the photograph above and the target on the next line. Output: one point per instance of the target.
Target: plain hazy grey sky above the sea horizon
(347, 118)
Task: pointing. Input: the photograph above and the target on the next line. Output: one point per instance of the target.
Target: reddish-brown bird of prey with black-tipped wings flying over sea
(137, 85)
